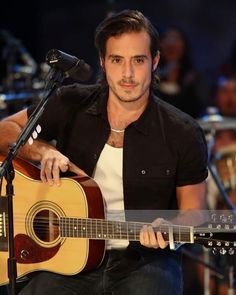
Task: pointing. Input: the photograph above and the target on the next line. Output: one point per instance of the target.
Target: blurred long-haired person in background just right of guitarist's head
(180, 83)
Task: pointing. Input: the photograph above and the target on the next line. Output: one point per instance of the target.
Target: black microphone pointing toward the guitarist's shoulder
(72, 66)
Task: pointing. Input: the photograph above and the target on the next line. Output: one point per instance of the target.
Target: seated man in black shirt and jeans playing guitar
(143, 153)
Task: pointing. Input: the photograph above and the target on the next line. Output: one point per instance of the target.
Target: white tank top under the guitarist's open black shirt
(108, 175)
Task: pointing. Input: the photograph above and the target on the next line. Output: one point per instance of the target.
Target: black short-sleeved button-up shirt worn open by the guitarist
(163, 149)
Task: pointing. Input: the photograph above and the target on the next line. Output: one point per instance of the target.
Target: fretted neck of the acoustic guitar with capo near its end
(106, 229)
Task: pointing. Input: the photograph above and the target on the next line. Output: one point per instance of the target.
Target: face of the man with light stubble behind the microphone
(128, 66)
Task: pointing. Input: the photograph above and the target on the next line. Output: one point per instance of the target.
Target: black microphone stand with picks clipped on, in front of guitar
(54, 79)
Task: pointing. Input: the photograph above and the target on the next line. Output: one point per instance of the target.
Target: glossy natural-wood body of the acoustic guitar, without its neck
(37, 208)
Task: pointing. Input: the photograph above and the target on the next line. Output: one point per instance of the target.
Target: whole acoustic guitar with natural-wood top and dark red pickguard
(63, 229)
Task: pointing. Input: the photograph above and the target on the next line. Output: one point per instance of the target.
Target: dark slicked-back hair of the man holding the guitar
(124, 22)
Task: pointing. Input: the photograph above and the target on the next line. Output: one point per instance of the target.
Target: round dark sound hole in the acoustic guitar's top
(46, 226)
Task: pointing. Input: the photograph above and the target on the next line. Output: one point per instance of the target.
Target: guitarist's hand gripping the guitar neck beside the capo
(151, 239)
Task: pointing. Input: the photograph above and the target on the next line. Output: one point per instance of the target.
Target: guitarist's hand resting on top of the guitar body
(52, 163)
